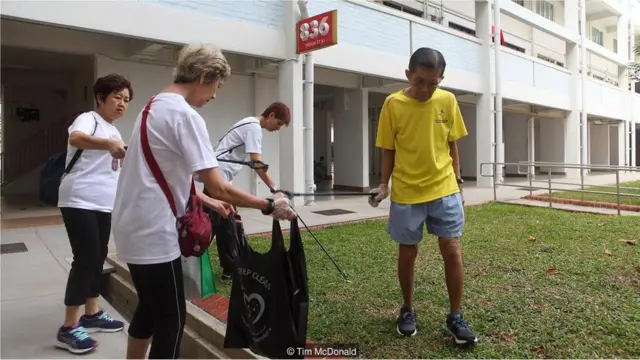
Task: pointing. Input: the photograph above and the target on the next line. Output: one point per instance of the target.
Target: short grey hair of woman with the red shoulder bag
(201, 61)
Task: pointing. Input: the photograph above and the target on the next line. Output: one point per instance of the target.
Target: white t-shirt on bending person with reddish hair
(245, 137)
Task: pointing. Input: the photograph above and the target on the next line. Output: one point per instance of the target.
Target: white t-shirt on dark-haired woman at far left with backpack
(92, 182)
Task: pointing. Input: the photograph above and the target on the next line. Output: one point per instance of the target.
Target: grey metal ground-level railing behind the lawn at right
(530, 172)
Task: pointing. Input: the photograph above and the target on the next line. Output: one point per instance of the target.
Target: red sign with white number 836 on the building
(317, 32)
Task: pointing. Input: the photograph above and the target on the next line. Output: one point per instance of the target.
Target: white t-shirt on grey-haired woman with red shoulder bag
(144, 227)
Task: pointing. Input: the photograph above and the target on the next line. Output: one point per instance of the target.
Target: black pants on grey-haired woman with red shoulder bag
(161, 311)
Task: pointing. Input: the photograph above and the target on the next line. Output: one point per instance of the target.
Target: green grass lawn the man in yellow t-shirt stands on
(588, 307)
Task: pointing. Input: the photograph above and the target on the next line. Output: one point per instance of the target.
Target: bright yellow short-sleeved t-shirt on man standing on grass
(420, 133)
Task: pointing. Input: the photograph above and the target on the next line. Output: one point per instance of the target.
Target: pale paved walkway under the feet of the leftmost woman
(32, 308)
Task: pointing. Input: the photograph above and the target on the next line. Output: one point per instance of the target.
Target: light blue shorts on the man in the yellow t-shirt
(444, 218)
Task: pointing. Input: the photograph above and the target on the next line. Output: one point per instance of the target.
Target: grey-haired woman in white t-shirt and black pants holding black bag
(144, 225)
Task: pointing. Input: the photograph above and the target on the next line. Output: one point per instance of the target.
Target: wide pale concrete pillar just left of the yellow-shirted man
(351, 139)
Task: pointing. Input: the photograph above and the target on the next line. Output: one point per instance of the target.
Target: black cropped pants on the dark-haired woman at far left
(89, 233)
